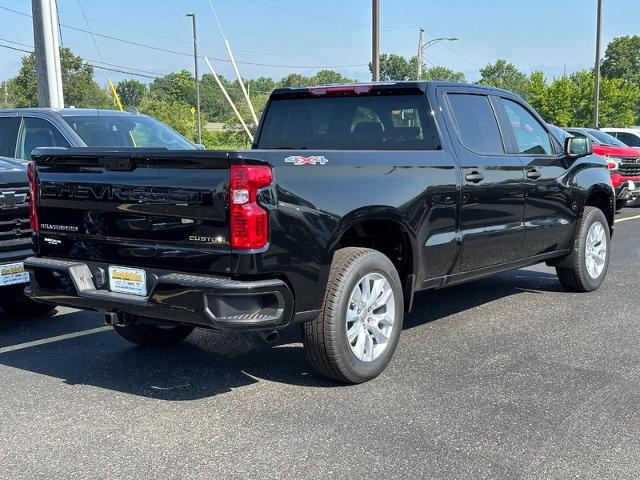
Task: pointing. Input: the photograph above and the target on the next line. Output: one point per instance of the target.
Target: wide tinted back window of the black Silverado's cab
(386, 122)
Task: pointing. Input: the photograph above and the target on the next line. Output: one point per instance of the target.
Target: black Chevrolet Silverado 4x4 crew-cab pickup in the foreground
(354, 198)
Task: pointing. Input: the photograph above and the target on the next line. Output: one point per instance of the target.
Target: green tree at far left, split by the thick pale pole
(79, 87)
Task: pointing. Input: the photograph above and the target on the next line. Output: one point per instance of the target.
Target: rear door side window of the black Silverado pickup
(476, 123)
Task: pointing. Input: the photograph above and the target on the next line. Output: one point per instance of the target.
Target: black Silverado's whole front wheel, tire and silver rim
(592, 252)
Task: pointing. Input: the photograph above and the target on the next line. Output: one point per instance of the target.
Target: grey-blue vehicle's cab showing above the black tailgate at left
(23, 129)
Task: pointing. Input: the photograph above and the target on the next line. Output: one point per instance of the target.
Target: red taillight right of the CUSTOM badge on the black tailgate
(249, 221)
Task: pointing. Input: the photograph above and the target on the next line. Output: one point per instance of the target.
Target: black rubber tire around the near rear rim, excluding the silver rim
(325, 338)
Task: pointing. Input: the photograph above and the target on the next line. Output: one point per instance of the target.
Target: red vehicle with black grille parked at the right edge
(624, 162)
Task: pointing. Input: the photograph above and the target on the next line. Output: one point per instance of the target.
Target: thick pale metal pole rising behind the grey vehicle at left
(46, 39)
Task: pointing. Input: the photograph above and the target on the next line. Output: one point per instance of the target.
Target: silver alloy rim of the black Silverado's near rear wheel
(371, 314)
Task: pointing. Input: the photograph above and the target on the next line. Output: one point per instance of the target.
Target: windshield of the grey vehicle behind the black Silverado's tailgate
(138, 131)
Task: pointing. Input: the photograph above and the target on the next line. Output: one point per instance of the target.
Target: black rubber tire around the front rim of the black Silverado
(576, 278)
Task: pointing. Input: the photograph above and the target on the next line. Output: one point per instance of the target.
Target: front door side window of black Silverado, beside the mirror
(530, 136)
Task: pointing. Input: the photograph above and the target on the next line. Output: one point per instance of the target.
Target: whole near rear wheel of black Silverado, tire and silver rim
(355, 336)
